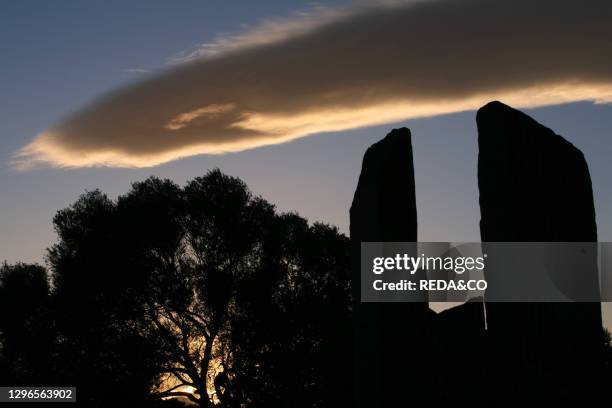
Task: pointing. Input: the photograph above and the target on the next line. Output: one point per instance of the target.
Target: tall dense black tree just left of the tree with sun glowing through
(104, 346)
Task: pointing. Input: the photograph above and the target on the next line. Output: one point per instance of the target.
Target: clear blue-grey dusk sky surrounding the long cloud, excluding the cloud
(57, 56)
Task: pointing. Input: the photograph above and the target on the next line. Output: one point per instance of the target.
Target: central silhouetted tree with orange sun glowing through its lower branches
(206, 245)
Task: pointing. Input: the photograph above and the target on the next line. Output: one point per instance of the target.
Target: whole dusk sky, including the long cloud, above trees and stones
(59, 57)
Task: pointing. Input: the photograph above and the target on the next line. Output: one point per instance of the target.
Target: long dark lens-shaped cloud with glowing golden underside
(336, 69)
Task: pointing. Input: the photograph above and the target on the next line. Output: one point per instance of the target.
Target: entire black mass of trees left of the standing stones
(203, 293)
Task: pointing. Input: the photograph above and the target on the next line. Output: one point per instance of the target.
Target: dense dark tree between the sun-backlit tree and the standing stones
(308, 293)
